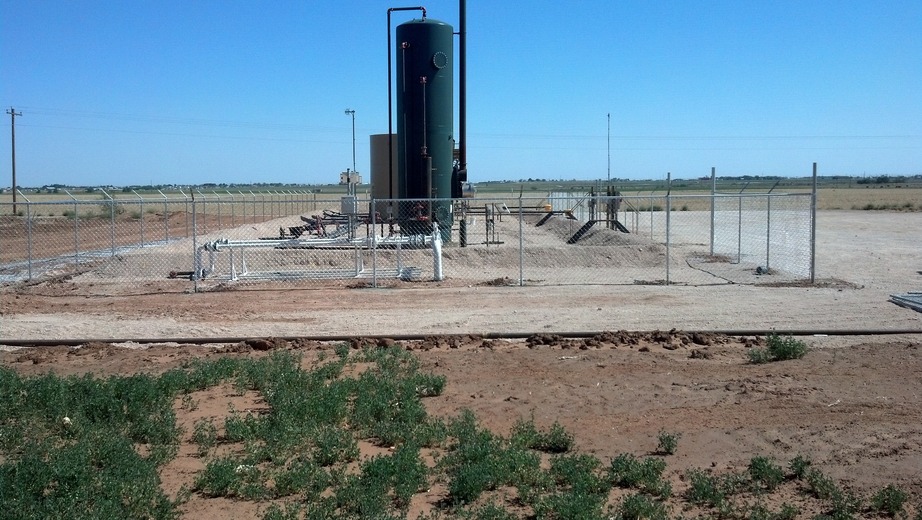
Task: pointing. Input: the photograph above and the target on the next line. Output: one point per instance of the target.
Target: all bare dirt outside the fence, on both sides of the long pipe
(852, 404)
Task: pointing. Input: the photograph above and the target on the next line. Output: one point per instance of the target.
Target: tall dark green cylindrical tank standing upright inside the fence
(424, 90)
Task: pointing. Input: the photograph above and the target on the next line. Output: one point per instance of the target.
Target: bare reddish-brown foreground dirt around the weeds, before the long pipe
(853, 410)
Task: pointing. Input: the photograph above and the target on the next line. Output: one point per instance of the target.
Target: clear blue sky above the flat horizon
(138, 92)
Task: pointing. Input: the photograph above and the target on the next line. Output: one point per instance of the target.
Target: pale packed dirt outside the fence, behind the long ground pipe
(862, 258)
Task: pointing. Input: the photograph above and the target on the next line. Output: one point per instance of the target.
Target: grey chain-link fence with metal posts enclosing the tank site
(217, 240)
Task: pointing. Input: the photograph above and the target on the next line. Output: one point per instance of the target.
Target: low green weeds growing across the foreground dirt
(83, 447)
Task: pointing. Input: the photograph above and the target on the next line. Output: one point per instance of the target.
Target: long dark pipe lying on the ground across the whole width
(74, 342)
